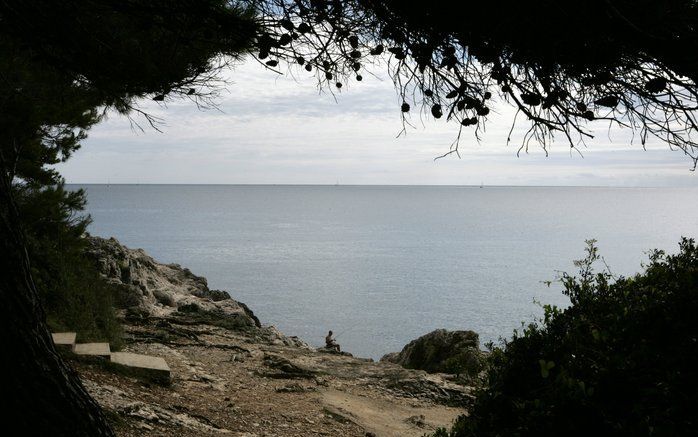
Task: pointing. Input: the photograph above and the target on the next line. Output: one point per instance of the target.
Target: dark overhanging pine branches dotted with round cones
(561, 64)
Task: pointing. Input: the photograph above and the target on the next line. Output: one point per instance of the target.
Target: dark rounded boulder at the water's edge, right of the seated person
(441, 351)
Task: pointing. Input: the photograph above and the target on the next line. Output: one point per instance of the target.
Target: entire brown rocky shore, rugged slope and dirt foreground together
(233, 375)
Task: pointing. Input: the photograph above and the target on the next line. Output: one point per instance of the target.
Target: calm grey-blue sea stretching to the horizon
(382, 265)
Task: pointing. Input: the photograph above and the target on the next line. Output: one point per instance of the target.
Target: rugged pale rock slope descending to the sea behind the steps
(151, 289)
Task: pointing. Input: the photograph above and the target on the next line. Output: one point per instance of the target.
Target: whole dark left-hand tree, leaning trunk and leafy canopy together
(62, 65)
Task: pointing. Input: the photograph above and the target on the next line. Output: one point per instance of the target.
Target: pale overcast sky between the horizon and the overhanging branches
(277, 130)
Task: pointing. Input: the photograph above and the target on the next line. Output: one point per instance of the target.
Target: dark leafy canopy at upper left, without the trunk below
(64, 63)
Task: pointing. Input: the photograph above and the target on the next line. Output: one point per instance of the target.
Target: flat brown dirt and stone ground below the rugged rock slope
(247, 384)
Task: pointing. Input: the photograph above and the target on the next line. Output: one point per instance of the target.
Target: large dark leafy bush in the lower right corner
(622, 359)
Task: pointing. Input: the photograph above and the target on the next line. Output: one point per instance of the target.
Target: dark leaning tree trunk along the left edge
(40, 393)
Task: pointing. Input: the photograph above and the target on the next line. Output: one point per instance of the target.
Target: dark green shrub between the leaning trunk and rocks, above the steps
(74, 295)
